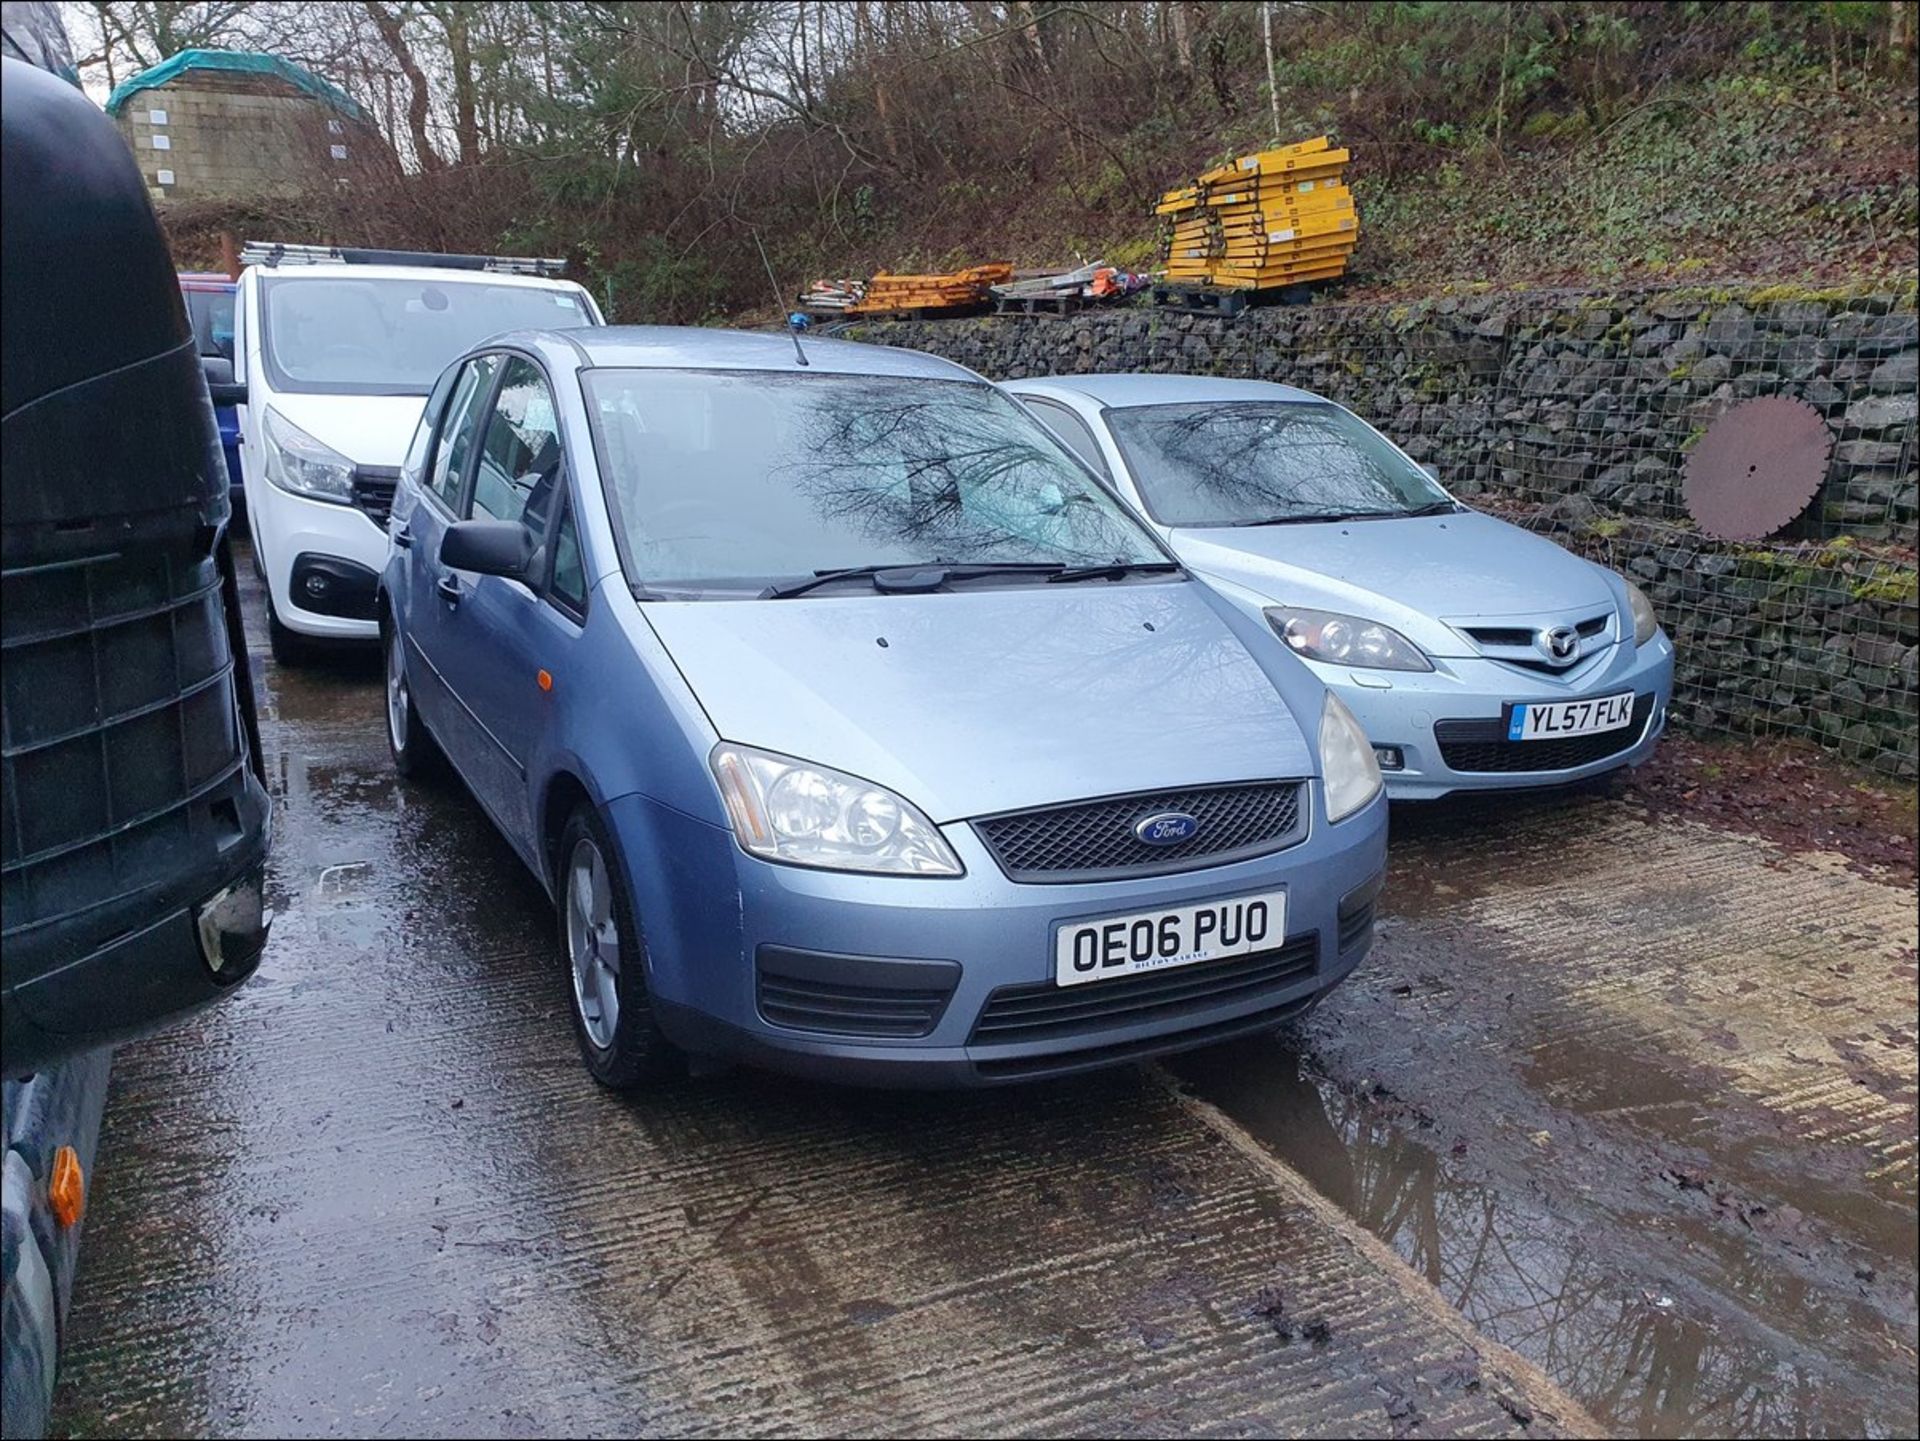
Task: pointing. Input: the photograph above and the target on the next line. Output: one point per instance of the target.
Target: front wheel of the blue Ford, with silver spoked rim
(608, 962)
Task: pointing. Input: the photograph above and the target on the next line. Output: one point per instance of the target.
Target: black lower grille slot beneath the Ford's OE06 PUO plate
(1049, 1012)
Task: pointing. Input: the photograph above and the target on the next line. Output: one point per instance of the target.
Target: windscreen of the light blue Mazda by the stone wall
(1249, 463)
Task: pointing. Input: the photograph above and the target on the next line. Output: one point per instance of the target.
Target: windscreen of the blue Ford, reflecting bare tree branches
(734, 481)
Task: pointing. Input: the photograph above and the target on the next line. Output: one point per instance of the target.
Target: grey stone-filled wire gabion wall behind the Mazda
(1573, 415)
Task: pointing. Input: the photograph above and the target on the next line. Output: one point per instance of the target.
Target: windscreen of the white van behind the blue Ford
(358, 337)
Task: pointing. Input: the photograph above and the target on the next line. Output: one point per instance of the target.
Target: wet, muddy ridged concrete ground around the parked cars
(1616, 1131)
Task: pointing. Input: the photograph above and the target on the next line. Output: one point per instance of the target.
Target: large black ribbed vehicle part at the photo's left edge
(135, 815)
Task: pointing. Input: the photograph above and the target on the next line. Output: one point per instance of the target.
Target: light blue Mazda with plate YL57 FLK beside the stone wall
(1479, 657)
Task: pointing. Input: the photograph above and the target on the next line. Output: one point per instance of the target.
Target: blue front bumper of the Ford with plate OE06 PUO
(709, 912)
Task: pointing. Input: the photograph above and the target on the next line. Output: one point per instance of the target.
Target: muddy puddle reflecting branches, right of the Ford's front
(1646, 1354)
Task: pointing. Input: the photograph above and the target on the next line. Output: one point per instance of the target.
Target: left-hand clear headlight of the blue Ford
(786, 811)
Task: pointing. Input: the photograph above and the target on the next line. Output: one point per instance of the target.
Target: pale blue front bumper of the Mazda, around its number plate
(1403, 709)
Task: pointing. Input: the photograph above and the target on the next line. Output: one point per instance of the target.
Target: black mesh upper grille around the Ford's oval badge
(1095, 841)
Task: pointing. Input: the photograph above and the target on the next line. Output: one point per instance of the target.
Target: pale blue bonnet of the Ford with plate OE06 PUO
(980, 701)
